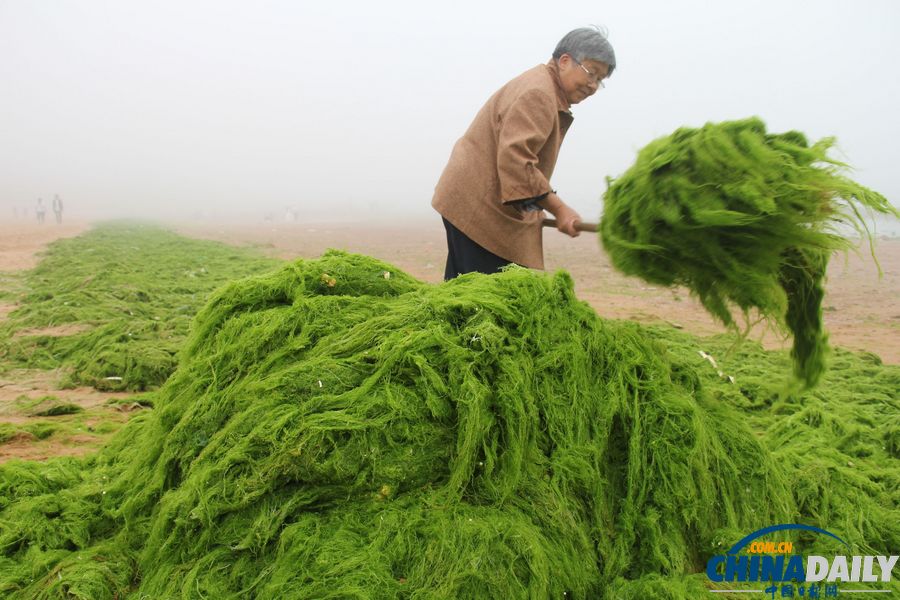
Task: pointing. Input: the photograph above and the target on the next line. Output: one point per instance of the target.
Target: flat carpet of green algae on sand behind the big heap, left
(128, 291)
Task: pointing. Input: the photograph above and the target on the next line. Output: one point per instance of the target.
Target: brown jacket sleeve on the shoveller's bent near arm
(524, 129)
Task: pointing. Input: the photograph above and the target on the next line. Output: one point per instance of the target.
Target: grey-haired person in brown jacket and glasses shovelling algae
(493, 189)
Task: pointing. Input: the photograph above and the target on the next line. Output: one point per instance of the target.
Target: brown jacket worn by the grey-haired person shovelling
(507, 154)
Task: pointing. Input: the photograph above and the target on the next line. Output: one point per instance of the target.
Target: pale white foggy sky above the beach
(349, 111)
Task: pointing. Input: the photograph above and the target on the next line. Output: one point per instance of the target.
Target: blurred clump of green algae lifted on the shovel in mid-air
(743, 218)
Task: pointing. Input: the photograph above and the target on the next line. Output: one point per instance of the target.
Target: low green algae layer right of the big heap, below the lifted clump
(836, 444)
